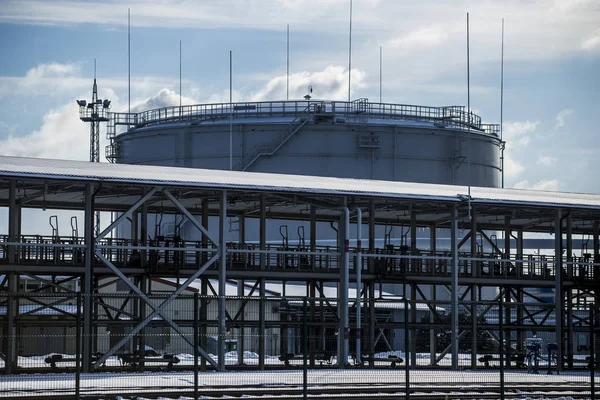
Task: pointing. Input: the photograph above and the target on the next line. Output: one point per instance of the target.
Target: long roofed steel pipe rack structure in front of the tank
(135, 192)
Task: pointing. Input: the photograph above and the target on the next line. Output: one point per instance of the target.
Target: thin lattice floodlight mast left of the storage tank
(94, 112)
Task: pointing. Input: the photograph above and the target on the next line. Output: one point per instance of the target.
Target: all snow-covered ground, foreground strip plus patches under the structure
(129, 383)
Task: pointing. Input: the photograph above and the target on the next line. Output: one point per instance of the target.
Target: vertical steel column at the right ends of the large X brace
(222, 278)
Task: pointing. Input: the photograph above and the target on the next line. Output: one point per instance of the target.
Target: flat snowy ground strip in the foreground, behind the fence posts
(140, 383)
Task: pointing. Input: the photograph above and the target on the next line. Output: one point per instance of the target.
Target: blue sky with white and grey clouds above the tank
(552, 67)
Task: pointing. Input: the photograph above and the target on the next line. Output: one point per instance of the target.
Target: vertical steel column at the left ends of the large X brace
(89, 240)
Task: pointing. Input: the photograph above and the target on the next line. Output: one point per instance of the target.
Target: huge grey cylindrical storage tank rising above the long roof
(323, 138)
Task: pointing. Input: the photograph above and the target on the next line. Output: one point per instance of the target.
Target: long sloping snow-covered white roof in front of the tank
(204, 178)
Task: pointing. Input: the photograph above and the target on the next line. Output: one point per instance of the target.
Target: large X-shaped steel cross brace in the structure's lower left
(157, 309)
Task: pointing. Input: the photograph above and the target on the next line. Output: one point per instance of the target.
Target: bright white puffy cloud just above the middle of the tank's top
(331, 83)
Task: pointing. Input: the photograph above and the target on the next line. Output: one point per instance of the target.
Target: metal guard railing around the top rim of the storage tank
(355, 111)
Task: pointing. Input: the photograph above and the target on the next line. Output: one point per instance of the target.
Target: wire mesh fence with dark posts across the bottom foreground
(290, 347)
